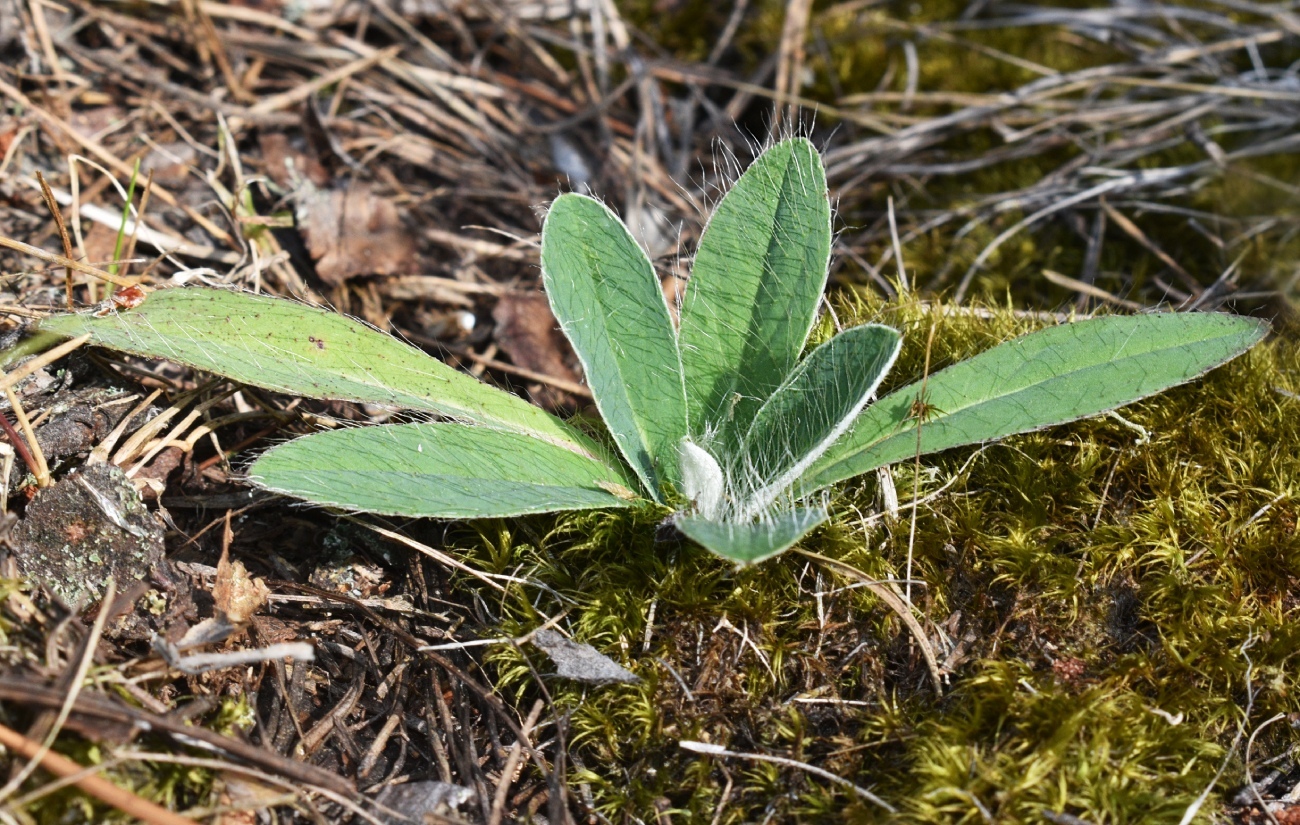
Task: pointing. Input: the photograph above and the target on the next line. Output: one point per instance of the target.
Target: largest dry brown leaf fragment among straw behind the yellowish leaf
(353, 233)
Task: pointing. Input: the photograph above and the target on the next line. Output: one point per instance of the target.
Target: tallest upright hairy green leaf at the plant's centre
(755, 289)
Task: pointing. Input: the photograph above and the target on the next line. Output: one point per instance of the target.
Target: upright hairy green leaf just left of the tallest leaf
(609, 302)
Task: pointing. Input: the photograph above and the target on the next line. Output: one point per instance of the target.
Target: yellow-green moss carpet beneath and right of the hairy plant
(1100, 590)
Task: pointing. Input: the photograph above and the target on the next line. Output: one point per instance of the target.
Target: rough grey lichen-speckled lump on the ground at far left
(88, 527)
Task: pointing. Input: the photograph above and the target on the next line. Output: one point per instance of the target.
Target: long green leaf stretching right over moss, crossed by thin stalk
(1050, 377)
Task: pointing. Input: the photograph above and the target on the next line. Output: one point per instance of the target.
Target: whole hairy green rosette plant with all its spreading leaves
(726, 410)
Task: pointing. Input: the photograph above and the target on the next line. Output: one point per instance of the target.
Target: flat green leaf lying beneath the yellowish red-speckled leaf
(437, 471)
